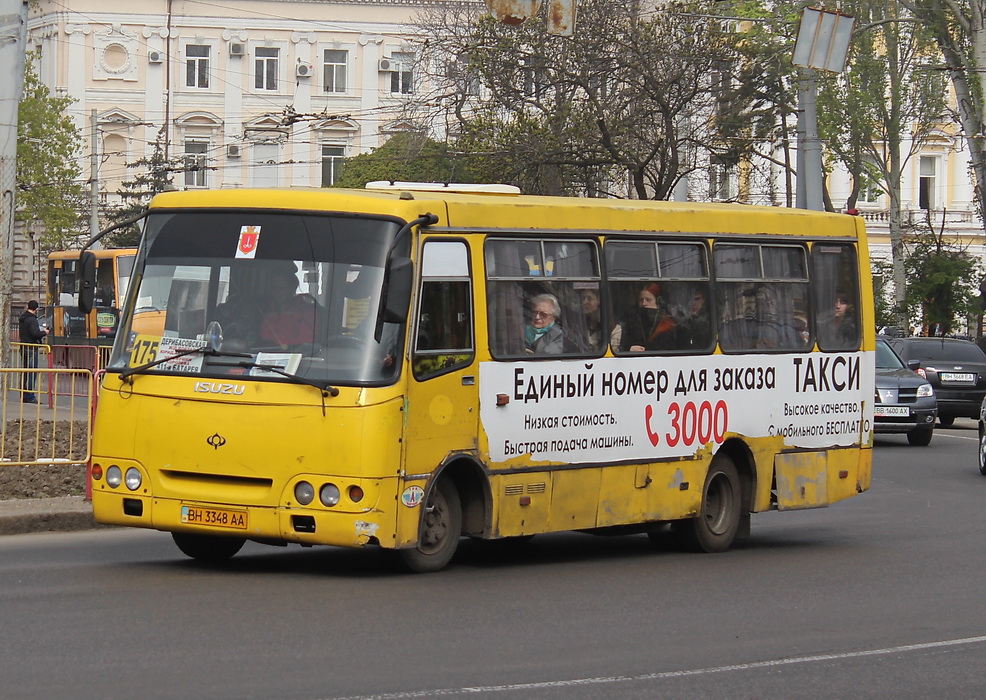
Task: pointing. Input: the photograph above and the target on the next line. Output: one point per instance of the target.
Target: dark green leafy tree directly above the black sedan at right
(943, 281)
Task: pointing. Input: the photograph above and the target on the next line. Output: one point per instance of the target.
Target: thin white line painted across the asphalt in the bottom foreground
(672, 674)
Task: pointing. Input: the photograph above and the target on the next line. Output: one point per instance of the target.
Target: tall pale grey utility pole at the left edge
(13, 39)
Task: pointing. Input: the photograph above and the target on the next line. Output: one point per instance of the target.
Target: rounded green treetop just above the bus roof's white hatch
(408, 157)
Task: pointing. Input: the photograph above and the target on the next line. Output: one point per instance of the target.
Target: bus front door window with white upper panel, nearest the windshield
(443, 339)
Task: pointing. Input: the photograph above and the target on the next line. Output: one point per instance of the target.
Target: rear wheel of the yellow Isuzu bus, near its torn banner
(715, 527)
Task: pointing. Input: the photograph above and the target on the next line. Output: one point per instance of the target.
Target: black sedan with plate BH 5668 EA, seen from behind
(956, 369)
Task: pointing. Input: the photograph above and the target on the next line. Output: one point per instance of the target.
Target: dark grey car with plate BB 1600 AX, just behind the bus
(905, 401)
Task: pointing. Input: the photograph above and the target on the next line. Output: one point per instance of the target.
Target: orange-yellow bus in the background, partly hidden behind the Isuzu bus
(68, 325)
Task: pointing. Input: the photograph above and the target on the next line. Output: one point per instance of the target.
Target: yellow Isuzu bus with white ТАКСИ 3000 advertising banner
(403, 366)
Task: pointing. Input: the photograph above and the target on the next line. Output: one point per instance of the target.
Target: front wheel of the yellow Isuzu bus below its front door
(441, 528)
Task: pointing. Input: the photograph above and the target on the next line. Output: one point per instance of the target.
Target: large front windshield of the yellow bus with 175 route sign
(268, 293)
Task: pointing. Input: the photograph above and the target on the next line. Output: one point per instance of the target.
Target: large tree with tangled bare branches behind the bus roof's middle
(626, 107)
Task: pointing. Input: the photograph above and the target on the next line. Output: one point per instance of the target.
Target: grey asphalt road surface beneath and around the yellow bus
(876, 597)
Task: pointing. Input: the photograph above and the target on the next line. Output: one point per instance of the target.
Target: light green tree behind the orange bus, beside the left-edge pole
(48, 190)
